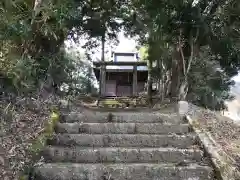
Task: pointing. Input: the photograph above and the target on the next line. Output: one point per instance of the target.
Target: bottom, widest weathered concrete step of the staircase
(122, 172)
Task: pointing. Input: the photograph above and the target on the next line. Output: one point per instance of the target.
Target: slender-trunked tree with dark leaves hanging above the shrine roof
(103, 20)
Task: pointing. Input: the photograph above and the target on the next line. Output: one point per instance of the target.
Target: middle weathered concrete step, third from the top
(123, 140)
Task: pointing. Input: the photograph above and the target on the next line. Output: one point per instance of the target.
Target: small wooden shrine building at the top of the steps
(123, 76)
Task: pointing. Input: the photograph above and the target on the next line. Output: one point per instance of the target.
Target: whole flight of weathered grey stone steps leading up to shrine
(123, 146)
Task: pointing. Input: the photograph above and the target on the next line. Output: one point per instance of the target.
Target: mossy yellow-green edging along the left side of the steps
(39, 143)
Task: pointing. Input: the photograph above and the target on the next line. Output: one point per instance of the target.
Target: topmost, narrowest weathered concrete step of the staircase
(127, 117)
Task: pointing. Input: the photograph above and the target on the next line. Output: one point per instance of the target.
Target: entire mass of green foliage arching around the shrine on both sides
(32, 42)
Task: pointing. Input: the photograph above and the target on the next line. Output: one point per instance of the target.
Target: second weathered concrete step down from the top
(122, 128)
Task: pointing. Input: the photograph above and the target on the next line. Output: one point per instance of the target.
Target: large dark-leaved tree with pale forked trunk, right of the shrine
(188, 26)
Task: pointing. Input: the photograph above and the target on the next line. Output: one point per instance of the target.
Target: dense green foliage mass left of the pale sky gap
(31, 45)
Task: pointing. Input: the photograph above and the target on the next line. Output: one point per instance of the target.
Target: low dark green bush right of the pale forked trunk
(209, 87)
